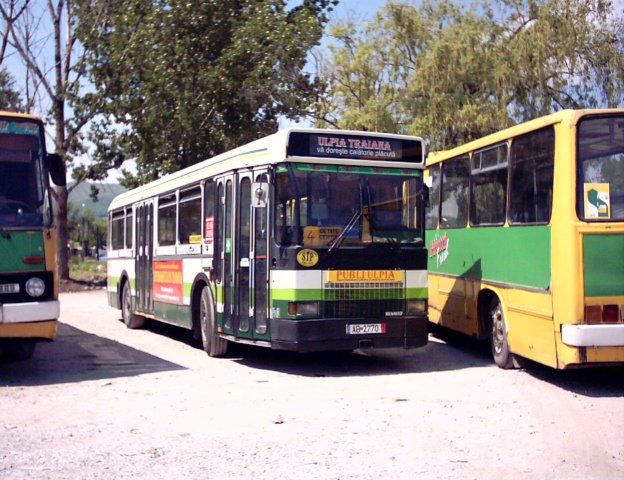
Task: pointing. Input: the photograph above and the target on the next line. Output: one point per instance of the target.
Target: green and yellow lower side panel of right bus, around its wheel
(463, 261)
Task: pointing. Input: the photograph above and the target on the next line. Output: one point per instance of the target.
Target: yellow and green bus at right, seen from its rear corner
(526, 240)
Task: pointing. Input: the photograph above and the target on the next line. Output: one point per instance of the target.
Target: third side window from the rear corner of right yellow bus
(455, 184)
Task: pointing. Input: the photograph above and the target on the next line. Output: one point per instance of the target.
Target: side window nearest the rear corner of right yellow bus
(531, 184)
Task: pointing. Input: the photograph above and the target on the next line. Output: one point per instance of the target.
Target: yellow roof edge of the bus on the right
(571, 116)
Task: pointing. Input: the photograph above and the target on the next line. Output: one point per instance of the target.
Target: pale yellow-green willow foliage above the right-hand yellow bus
(452, 74)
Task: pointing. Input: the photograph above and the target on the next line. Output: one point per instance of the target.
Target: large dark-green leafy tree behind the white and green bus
(186, 80)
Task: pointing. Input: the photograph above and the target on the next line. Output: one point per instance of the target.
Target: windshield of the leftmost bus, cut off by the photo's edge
(22, 180)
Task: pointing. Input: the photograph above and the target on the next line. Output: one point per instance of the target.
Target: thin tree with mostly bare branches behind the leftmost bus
(54, 84)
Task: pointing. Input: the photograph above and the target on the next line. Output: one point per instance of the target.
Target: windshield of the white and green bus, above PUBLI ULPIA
(327, 206)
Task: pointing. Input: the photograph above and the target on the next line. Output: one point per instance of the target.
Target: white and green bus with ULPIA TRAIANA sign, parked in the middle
(305, 240)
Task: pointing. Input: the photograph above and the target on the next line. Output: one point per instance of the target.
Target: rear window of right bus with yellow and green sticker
(601, 168)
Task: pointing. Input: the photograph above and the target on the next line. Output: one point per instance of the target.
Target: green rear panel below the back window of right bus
(603, 264)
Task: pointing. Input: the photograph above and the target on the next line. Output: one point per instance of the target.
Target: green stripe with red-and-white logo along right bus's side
(513, 255)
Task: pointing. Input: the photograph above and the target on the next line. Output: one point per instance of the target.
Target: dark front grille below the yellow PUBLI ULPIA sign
(363, 299)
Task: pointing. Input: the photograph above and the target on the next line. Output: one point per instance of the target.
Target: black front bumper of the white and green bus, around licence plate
(331, 334)
